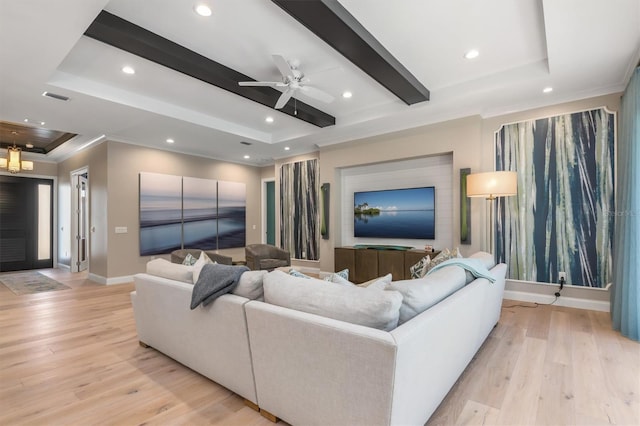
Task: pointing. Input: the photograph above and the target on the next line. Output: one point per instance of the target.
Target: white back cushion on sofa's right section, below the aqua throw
(420, 294)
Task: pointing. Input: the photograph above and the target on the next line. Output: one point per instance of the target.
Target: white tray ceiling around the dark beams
(582, 48)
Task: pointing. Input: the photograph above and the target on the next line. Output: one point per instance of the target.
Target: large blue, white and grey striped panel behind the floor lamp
(561, 219)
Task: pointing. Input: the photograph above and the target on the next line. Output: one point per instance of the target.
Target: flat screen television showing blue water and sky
(407, 213)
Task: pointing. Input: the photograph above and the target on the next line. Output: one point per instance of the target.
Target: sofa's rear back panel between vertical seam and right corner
(314, 370)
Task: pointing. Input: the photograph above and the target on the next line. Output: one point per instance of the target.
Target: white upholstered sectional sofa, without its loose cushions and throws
(310, 369)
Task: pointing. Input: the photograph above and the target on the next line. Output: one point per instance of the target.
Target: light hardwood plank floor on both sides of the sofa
(71, 357)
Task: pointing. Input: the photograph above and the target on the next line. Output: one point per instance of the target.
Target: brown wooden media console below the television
(366, 262)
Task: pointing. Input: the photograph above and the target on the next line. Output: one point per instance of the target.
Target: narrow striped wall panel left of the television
(299, 229)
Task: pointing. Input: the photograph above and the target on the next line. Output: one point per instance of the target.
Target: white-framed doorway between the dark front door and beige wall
(79, 220)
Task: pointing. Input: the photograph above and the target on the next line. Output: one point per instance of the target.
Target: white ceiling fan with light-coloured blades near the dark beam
(292, 79)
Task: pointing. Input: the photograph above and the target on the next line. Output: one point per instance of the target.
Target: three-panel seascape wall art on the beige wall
(184, 212)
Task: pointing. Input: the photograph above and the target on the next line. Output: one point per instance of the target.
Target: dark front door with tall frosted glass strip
(26, 223)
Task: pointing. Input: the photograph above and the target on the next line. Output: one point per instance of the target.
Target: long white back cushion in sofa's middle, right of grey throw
(357, 305)
